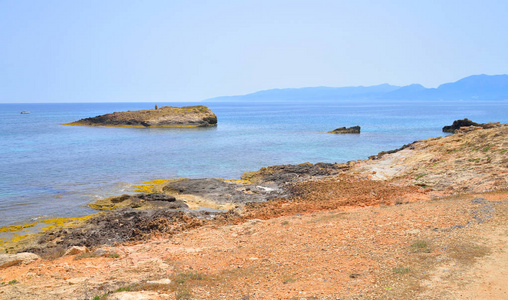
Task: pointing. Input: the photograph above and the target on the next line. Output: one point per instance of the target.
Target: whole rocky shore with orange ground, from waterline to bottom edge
(418, 222)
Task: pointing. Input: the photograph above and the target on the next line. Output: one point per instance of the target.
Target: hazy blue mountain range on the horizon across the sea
(483, 87)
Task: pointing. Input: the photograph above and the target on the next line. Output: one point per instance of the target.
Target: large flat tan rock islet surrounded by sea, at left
(166, 116)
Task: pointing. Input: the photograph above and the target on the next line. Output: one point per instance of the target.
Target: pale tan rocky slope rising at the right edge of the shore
(471, 161)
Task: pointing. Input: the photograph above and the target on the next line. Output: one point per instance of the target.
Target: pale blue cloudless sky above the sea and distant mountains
(172, 51)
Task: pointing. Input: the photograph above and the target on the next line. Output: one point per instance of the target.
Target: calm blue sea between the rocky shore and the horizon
(48, 169)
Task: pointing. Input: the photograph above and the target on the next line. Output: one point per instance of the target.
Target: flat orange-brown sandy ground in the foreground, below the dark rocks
(451, 248)
